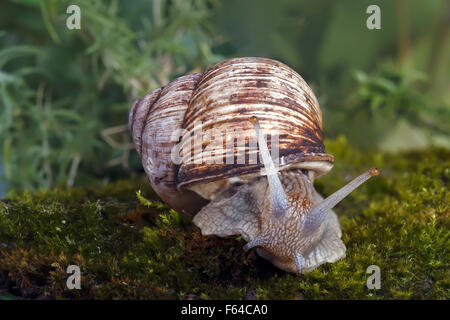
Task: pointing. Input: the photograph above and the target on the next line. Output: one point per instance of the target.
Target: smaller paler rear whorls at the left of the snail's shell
(152, 121)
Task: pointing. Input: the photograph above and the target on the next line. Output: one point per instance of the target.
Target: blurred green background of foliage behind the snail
(65, 94)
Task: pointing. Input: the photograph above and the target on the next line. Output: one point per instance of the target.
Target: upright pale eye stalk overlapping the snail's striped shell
(278, 198)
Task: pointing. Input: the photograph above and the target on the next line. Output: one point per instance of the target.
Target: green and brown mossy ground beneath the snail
(134, 248)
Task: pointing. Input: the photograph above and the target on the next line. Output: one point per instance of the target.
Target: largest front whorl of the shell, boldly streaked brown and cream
(229, 93)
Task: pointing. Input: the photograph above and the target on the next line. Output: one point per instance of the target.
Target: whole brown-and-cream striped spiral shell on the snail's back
(222, 100)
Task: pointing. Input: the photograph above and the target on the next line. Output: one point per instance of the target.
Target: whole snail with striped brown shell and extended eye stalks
(238, 148)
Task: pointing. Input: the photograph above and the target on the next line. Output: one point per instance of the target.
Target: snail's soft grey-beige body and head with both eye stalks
(281, 214)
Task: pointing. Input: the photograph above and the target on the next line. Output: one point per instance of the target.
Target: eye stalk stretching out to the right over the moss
(319, 213)
